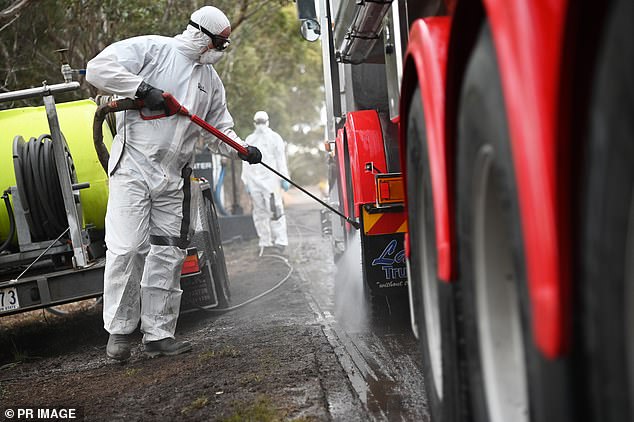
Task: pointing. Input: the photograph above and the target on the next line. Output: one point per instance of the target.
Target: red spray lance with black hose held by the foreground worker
(173, 107)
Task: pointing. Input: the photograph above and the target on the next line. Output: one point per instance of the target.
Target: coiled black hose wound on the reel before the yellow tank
(42, 190)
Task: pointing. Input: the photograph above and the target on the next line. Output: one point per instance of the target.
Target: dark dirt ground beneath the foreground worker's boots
(267, 361)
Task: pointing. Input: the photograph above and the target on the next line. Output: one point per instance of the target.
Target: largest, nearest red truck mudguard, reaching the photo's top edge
(529, 40)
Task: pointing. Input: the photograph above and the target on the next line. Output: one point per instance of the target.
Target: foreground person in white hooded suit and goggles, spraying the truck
(148, 213)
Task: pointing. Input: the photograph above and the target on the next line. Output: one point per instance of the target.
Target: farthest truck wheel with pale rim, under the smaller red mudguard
(432, 301)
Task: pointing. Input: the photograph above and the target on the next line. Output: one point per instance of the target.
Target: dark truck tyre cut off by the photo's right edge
(605, 260)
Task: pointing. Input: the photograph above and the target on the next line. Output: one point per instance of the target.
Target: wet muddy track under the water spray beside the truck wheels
(380, 358)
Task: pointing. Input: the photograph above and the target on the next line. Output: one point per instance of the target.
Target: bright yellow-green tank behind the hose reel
(75, 119)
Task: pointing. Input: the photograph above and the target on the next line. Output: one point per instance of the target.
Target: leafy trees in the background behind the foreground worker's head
(267, 67)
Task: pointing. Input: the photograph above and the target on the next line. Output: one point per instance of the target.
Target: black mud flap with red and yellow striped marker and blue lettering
(383, 250)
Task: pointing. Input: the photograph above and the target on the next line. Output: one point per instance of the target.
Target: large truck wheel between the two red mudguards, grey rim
(509, 379)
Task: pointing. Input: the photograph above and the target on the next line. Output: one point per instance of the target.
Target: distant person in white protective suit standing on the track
(264, 187)
